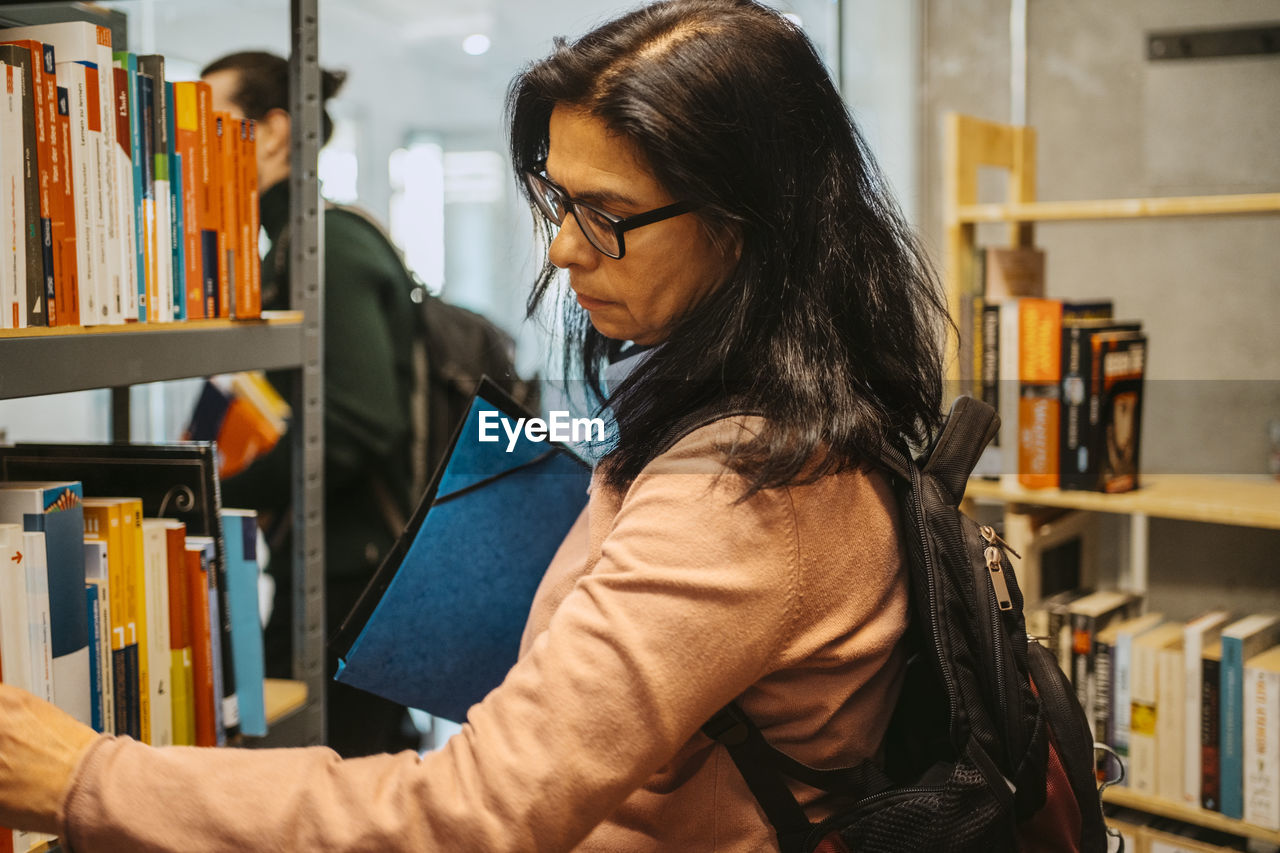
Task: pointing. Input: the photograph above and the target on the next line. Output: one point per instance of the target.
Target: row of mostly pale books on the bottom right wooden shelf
(1192, 708)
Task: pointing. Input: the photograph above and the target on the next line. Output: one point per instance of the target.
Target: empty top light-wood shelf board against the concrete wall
(1242, 204)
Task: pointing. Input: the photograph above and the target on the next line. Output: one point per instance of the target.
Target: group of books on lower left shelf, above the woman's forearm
(131, 599)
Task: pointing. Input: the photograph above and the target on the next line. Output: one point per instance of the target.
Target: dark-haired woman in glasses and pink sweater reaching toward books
(715, 206)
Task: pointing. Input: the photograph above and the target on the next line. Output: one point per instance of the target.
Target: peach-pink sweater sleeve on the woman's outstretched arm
(688, 606)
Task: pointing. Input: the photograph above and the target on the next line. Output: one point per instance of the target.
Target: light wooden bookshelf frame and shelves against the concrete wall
(1240, 501)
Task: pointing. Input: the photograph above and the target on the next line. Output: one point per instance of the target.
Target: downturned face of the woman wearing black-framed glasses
(669, 266)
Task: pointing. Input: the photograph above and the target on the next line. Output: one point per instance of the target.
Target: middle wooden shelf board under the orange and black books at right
(1242, 501)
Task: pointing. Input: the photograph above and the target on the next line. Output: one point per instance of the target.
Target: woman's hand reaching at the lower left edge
(40, 746)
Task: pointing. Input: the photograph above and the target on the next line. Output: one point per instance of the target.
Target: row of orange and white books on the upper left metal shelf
(124, 197)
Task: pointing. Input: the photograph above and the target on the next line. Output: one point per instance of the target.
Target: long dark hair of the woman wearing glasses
(833, 323)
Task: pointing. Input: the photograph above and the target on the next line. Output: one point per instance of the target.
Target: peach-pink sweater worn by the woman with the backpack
(664, 604)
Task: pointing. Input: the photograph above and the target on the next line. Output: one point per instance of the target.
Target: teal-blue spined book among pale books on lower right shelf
(1241, 641)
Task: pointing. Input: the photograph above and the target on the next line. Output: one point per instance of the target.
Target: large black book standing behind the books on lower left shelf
(177, 481)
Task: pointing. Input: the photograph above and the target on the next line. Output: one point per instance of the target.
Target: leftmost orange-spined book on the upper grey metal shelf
(44, 88)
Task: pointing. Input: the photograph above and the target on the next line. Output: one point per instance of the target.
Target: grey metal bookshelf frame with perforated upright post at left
(65, 359)
